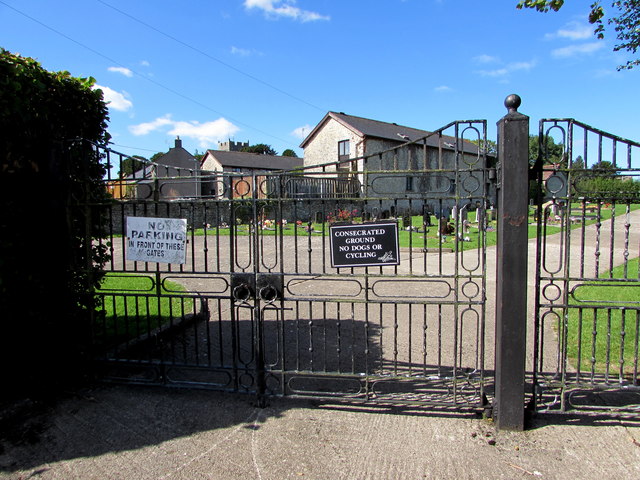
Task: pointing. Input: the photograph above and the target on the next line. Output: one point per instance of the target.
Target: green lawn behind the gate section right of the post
(604, 322)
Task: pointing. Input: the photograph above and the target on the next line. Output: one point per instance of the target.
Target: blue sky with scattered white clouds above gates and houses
(267, 71)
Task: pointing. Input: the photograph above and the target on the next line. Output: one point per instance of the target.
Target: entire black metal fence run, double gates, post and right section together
(258, 301)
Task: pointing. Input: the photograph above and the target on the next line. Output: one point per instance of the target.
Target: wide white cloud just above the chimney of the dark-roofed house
(205, 134)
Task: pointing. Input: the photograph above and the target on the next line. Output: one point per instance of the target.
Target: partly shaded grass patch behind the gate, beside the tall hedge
(129, 306)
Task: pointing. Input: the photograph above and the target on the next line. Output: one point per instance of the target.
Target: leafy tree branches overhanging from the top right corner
(625, 20)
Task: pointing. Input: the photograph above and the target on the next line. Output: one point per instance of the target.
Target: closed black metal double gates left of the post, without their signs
(257, 306)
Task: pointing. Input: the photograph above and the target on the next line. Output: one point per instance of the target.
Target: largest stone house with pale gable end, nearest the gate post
(387, 161)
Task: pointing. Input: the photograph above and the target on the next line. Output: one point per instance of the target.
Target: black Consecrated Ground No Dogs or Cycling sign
(364, 245)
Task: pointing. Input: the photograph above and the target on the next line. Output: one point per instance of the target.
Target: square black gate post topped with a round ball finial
(511, 271)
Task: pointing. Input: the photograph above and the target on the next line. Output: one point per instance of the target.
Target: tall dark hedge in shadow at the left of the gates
(45, 259)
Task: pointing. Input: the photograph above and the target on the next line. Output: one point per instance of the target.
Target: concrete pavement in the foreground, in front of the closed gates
(128, 432)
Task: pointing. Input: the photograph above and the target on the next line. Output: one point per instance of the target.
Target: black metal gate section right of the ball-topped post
(587, 295)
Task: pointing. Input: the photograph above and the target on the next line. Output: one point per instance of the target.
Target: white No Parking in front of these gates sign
(160, 240)
